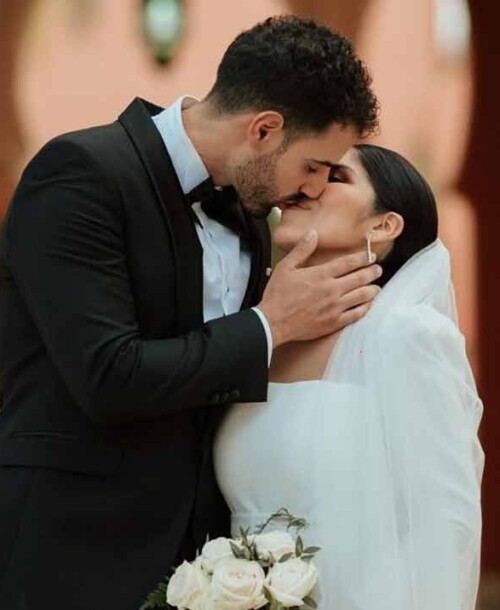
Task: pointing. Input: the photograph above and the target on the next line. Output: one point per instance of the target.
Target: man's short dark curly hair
(301, 69)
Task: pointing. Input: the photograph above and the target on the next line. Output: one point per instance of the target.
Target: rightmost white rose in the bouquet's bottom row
(289, 582)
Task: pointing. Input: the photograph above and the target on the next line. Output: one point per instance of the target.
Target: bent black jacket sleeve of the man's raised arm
(65, 244)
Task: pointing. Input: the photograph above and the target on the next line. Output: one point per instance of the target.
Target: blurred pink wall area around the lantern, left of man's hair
(75, 74)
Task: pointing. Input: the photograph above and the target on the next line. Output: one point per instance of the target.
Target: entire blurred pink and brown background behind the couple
(68, 64)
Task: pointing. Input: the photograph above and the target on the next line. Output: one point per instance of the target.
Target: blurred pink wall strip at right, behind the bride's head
(426, 99)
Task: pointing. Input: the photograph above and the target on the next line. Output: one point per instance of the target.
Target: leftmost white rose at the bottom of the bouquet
(188, 588)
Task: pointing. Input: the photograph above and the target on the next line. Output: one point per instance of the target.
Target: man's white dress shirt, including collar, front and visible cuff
(226, 262)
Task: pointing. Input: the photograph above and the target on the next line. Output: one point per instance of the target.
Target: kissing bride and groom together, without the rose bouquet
(161, 385)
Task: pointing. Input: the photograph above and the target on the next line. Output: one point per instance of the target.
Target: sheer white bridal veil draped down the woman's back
(405, 529)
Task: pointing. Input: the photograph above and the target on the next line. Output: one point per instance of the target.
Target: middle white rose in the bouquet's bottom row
(237, 584)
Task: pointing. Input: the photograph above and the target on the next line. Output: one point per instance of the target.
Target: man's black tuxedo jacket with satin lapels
(111, 385)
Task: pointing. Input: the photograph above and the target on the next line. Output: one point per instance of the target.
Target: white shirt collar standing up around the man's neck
(187, 163)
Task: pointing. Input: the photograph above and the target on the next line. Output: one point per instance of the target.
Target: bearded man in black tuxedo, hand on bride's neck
(134, 309)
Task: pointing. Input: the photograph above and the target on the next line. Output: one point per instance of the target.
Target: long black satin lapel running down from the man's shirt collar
(187, 250)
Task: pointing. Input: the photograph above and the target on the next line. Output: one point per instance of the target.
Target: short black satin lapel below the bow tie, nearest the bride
(260, 243)
